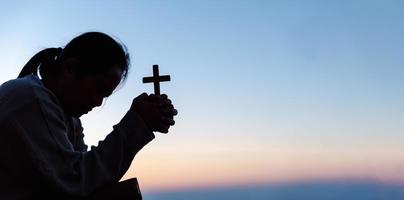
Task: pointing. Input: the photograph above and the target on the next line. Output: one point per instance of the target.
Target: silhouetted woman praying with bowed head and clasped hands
(42, 152)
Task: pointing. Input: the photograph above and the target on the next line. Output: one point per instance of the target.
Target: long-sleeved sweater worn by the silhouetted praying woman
(42, 149)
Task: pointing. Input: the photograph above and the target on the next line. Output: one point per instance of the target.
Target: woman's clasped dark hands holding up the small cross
(157, 111)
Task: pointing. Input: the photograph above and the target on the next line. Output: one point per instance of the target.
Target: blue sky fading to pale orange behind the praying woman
(268, 92)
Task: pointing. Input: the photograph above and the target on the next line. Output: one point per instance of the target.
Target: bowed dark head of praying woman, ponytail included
(84, 72)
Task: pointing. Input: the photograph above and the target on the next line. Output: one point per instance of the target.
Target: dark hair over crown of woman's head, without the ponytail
(95, 53)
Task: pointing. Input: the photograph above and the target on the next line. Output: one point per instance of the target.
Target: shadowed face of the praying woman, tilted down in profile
(79, 94)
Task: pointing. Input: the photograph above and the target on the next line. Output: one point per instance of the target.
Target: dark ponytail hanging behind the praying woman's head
(45, 58)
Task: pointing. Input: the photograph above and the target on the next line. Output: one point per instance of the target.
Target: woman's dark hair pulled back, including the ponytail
(97, 53)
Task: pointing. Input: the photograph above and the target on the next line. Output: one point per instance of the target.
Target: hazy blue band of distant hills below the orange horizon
(301, 191)
